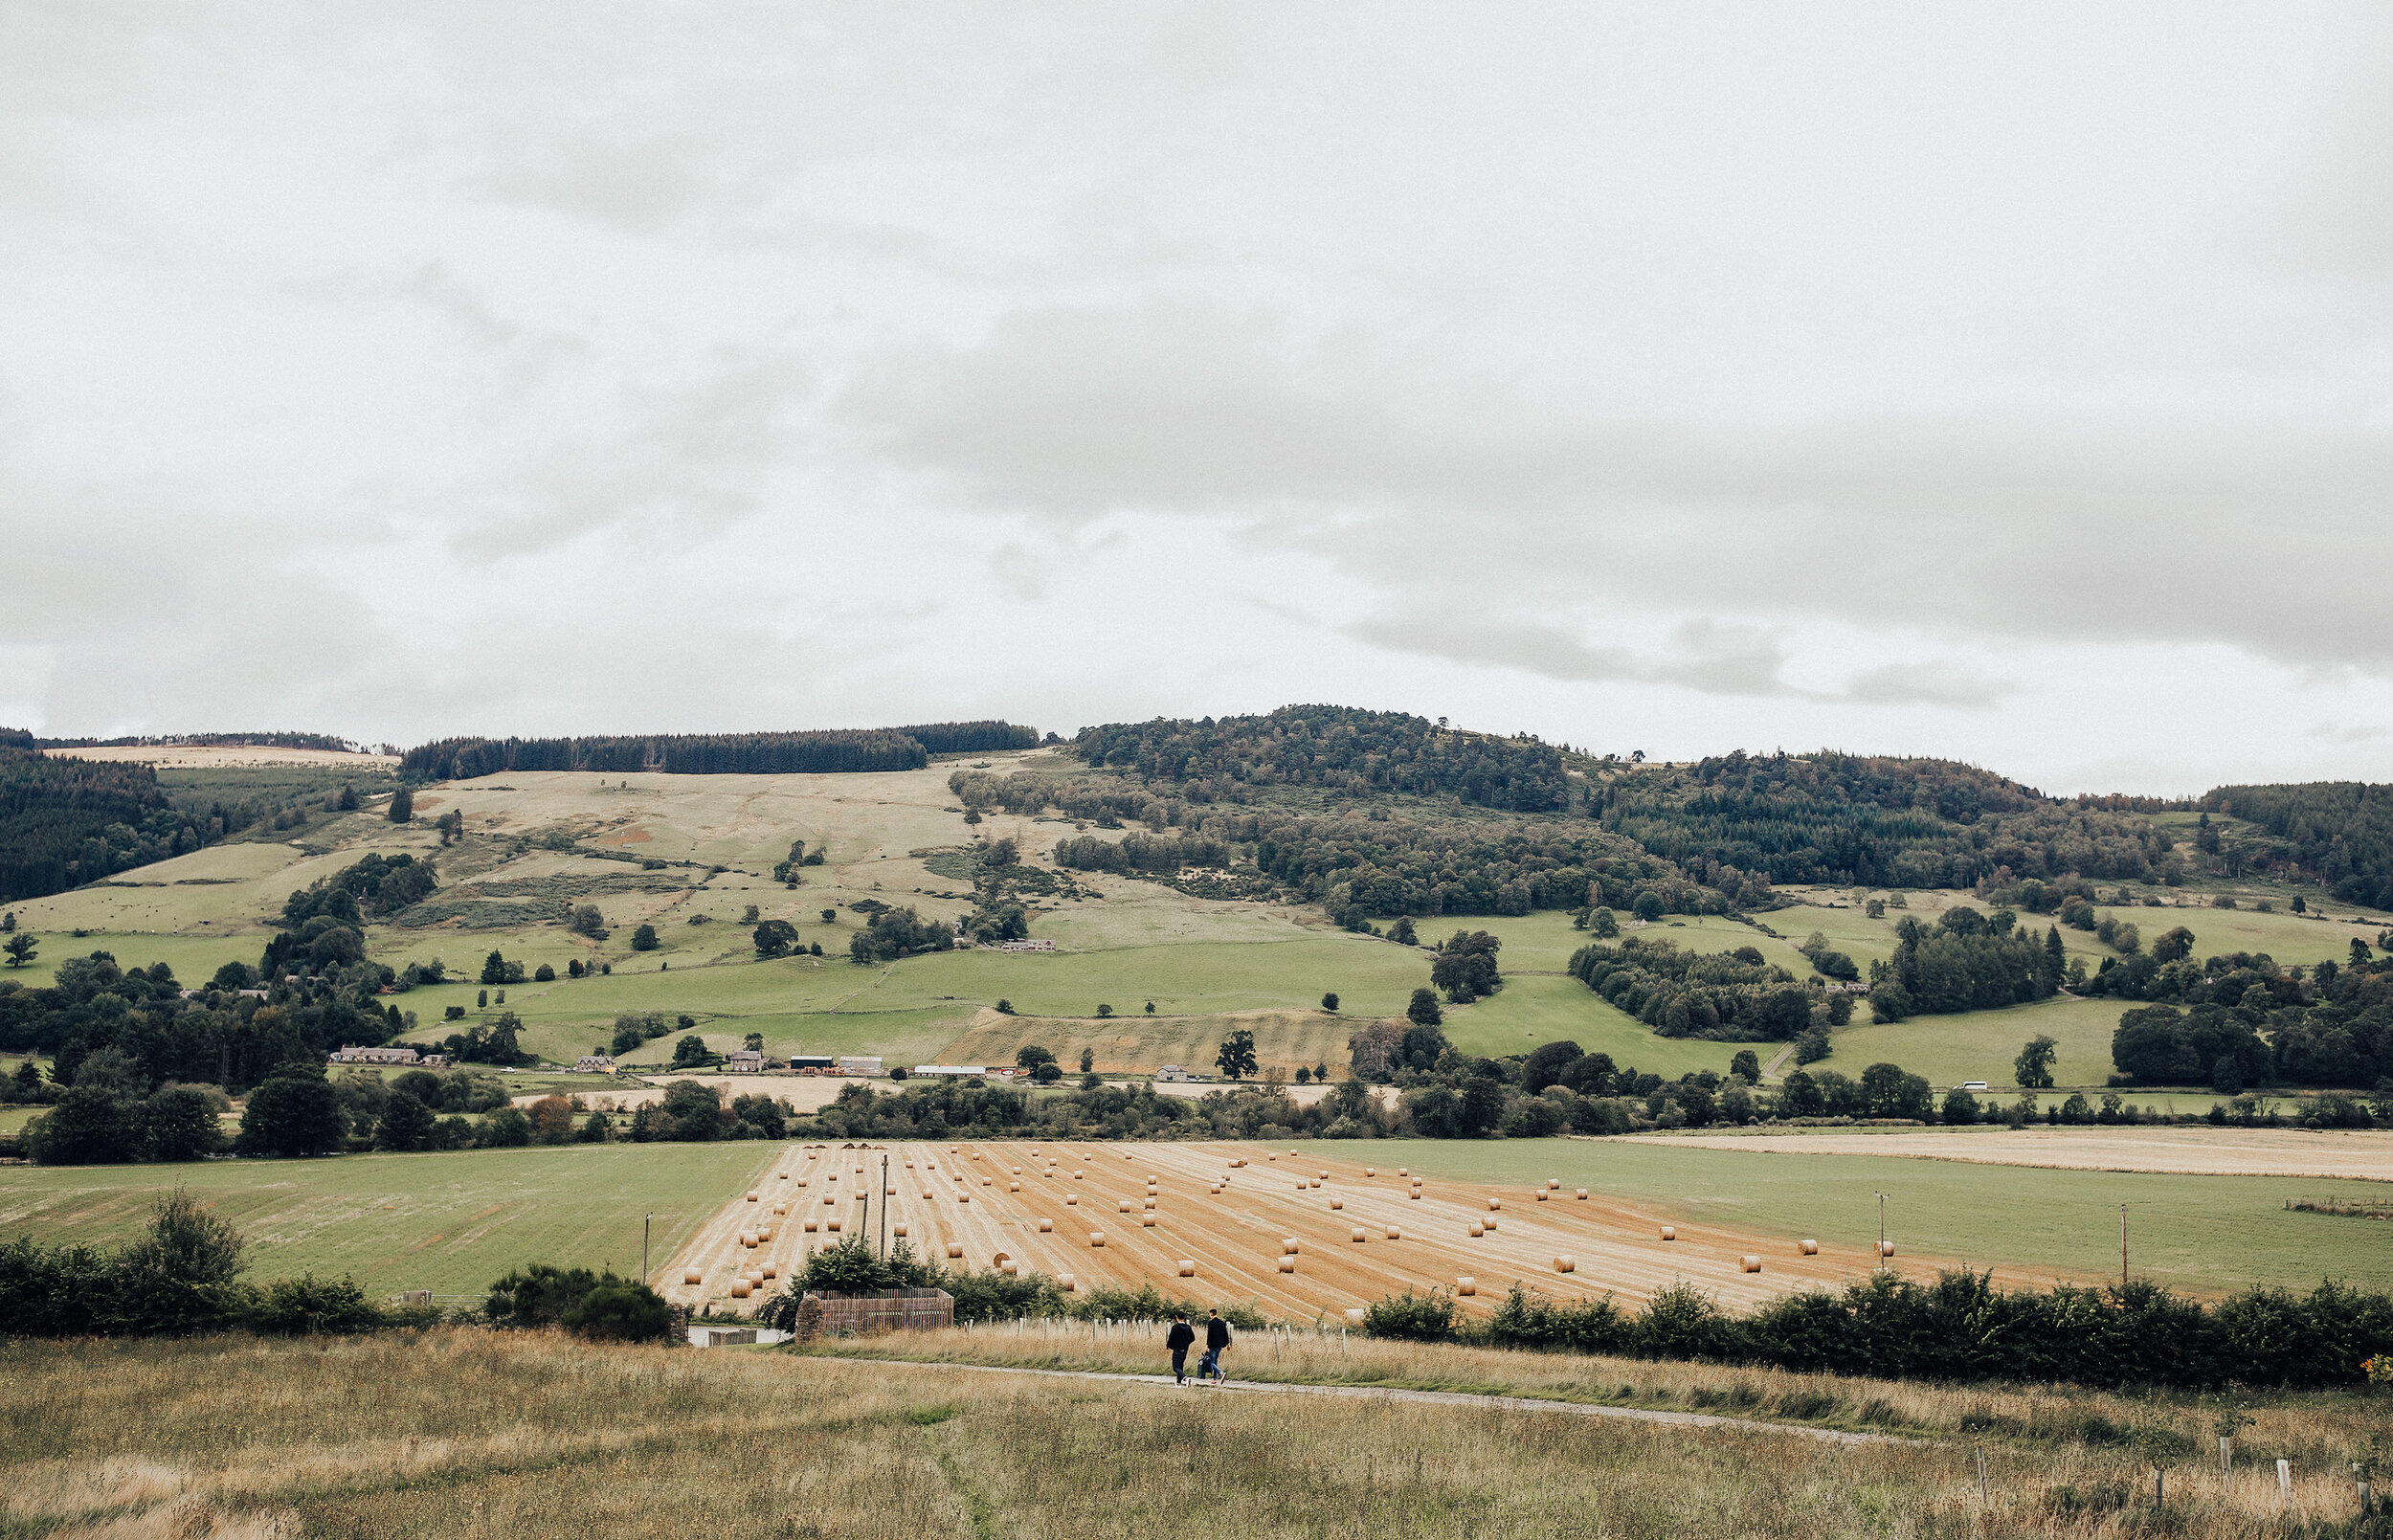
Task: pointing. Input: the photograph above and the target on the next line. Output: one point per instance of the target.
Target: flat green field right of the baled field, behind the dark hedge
(2205, 1235)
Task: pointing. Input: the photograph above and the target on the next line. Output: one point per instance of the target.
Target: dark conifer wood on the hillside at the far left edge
(68, 821)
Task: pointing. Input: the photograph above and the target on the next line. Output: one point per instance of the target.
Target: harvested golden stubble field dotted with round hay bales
(1236, 1237)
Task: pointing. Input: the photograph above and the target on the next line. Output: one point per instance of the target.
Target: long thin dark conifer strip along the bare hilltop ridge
(846, 750)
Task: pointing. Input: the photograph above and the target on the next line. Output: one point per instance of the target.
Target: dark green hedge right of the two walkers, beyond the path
(1954, 1328)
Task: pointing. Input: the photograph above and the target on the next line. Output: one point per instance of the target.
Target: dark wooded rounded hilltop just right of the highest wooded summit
(1873, 821)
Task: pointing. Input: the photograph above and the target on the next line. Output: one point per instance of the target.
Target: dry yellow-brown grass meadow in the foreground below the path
(475, 1434)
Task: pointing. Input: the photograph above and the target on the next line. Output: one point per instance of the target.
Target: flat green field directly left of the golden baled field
(446, 1223)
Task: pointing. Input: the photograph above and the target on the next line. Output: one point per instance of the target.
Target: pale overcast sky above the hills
(2007, 384)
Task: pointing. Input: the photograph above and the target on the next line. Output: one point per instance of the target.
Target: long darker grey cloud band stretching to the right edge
(2026, 525)
